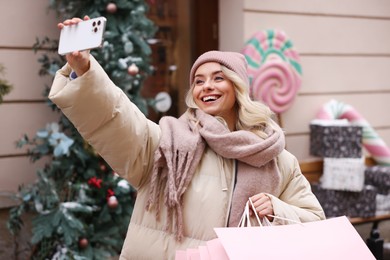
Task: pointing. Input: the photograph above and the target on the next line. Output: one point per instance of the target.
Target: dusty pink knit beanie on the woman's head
(232, 60)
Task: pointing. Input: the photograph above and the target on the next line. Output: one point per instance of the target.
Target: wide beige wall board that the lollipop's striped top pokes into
(325, 35)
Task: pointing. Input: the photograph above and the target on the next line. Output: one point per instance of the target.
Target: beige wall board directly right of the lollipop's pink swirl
(335, 74)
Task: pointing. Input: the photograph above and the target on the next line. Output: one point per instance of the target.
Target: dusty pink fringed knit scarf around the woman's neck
(181, 147)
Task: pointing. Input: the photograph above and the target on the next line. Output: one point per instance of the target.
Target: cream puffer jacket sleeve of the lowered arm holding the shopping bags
(296, 201)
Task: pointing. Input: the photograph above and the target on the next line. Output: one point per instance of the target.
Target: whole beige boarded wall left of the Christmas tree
(24, 109)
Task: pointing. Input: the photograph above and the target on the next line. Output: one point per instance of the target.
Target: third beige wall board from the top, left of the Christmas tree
(19, 119)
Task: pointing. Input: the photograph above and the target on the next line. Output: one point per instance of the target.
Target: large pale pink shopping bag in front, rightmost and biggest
(333, 238)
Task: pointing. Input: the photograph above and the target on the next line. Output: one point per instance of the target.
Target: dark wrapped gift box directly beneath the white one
(352, 204)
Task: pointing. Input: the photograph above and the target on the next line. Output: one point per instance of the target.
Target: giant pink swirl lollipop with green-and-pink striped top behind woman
(273, 68)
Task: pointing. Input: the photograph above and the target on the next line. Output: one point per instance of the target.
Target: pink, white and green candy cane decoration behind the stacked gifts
(371, 140)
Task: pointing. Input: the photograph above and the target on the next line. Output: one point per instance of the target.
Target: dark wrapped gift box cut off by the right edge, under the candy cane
(378, 176)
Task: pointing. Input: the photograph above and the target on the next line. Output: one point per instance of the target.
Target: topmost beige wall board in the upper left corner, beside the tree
(22, 21)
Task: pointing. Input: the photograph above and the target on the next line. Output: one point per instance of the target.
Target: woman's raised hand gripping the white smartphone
(77, 60)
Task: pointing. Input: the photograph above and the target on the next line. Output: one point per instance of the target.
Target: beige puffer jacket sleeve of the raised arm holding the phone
(108, 120)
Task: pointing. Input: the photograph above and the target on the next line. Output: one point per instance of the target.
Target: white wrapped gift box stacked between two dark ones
(343, 174)
